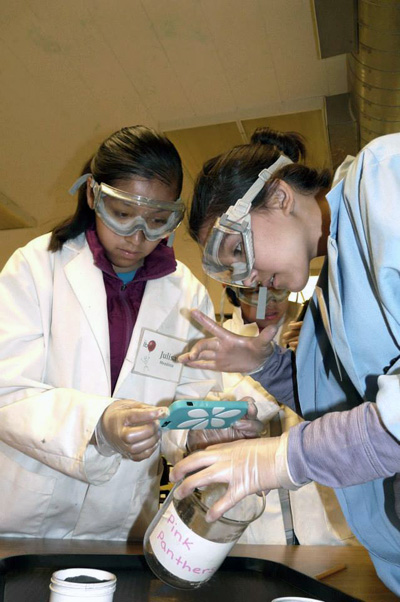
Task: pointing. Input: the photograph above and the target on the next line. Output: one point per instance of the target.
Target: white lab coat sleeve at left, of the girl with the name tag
(53, 425)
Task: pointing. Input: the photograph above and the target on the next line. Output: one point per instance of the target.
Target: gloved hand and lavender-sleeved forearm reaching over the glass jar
(340, 449)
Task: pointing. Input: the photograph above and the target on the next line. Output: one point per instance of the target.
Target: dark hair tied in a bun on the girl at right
(228, 176)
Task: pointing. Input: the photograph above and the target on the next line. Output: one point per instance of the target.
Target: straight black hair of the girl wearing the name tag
(129, 152)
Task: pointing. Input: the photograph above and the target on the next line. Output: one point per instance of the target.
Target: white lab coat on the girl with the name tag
(55, 384)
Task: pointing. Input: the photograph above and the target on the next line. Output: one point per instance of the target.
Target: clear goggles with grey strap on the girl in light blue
(228, 252)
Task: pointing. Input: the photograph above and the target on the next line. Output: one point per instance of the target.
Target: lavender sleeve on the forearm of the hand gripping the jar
(343, 448)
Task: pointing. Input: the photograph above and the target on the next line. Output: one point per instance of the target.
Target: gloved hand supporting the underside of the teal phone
(246, 428)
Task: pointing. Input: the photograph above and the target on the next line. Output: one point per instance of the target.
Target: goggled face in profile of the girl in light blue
(270, 245)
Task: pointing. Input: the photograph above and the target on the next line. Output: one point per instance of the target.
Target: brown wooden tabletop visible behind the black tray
(358, 578)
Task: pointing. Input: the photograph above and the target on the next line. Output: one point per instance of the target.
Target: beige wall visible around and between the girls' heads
(195, 146)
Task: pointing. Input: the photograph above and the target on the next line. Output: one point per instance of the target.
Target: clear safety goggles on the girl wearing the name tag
(126, 213)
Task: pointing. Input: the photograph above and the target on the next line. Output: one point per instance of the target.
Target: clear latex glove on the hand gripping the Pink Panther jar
(246, 466)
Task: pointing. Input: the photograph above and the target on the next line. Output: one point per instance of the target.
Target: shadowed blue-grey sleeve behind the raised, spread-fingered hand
(276, 376)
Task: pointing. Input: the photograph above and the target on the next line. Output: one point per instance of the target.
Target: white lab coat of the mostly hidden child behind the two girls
(316, 514)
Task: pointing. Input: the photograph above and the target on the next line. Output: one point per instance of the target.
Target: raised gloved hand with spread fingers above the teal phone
(228, 352)
